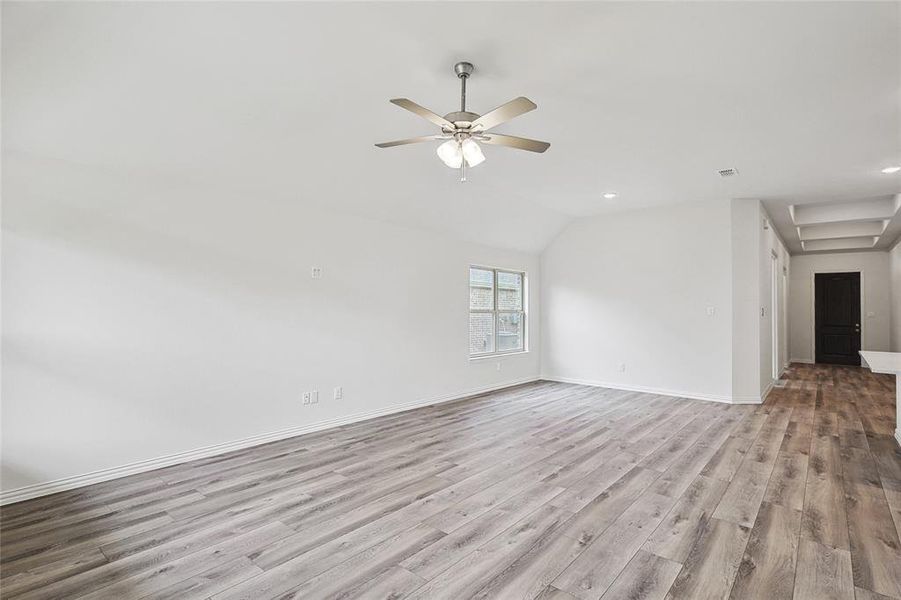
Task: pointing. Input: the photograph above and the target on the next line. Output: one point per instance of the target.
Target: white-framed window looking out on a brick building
(497, 318)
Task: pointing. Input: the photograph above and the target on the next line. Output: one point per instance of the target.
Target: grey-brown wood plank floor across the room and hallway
(548, 491)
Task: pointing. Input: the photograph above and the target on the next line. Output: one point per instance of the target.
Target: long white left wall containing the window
(144, 321)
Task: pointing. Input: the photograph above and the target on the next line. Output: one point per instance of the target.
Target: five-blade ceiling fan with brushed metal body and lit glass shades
(463, 130)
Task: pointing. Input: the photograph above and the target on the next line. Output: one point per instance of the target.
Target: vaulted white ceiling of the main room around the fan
(647, 99)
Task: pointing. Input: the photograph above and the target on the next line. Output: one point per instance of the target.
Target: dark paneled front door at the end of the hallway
(837, 304)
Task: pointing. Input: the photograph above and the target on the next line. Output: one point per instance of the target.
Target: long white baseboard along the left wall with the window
(69, 483)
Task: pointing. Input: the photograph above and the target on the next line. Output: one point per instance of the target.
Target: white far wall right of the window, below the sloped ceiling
(634, 289)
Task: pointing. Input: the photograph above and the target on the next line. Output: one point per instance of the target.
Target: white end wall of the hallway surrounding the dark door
(876, 291)
